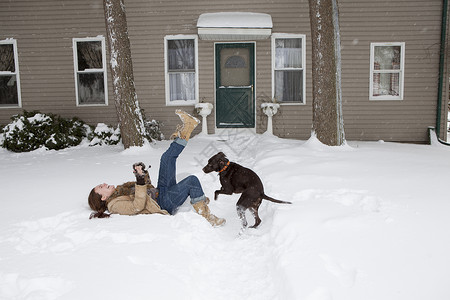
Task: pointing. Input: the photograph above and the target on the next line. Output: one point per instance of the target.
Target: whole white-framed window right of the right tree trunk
(386, 71)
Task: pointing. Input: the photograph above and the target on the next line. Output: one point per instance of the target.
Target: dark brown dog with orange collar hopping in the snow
(238, 179)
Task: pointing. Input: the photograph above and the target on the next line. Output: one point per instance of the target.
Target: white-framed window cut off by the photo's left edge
(9, 74)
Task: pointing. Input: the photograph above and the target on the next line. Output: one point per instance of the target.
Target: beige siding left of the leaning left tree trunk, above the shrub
(44, 32)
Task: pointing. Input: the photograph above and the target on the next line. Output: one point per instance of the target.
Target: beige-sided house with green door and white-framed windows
(235, 55)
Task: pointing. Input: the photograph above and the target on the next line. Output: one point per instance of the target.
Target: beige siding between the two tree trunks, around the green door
(148, 24)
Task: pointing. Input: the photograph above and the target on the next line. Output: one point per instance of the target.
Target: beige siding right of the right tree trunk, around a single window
(417, 23)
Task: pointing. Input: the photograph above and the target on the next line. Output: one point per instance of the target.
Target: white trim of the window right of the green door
(289, 35)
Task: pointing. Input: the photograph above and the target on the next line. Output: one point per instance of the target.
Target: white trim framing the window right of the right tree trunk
(401, 71)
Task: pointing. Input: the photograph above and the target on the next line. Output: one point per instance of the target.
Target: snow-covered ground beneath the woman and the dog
(369, 220)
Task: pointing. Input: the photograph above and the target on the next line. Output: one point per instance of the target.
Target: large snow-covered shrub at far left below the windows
(32, 130)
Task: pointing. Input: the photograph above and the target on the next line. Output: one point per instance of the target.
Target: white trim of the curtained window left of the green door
(166, 70)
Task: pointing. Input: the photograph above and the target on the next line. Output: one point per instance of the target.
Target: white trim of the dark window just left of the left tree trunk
(75, 67)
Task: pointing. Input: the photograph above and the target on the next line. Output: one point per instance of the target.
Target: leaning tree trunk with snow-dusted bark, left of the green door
(127, 106)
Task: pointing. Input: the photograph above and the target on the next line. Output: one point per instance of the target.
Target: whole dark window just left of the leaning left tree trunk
(90, 71)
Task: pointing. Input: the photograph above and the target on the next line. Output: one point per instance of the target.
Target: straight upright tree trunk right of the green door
(328, 124)
